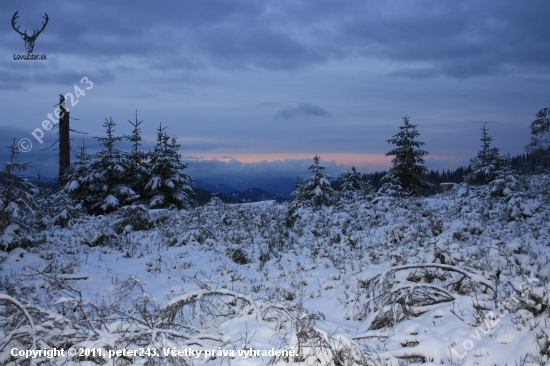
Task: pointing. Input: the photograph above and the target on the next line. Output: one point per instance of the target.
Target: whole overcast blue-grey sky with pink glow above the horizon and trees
(272, 83)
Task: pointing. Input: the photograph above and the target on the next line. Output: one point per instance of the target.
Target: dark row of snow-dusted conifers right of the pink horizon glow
(409, 177)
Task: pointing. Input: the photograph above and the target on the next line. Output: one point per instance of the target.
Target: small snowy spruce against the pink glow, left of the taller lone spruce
(314, 191)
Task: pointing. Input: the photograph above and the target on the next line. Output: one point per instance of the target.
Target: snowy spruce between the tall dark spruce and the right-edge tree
(487, 162)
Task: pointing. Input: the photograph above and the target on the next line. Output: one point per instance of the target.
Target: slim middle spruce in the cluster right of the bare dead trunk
(137, 175)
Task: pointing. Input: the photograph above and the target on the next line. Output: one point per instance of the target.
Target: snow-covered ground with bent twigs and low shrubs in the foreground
(453, 279)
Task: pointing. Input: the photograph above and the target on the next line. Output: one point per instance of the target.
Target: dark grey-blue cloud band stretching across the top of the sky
(460, 39)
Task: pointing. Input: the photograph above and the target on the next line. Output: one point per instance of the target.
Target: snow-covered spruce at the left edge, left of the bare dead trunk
(16, 202)
